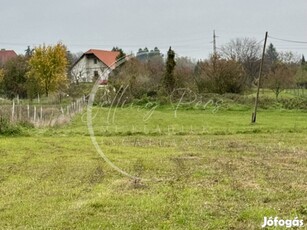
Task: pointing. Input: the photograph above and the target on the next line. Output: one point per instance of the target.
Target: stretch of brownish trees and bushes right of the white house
(234, 69)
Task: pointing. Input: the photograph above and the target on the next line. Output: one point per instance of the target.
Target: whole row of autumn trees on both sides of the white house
(233, 69)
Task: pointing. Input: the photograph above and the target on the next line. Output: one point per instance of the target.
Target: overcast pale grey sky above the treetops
(130, 24)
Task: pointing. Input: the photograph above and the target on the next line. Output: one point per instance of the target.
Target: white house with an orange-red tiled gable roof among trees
(92, 64)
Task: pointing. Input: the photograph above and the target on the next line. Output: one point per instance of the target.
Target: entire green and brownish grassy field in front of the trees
(204, 168)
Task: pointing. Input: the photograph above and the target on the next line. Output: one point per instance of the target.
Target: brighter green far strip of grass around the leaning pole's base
(167, 121)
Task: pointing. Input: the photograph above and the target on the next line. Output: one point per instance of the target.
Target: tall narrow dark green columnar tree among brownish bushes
(169, 79)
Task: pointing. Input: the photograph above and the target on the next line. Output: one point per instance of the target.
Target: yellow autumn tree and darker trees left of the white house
(40, 71)
